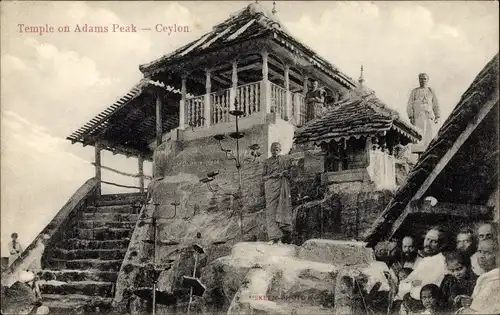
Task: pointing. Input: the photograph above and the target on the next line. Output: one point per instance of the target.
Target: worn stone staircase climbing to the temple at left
(80, 271)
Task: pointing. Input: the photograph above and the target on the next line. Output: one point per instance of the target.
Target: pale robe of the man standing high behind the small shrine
(423, 107)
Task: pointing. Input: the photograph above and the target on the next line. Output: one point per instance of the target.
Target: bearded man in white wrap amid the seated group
(430, 270)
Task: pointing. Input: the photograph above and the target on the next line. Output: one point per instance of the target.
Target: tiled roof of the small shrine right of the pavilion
(358, 117)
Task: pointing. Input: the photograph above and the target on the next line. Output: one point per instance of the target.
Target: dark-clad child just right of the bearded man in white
(459, 282)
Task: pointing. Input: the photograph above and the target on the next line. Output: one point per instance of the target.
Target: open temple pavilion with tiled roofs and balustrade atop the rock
(247, 63)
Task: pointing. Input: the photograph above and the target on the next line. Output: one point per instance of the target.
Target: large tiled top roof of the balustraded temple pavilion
(252, 22)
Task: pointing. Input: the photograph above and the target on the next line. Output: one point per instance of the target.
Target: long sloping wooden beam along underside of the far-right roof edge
(446, 159)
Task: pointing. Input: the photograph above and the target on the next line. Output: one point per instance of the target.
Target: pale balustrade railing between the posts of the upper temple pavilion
(248, 97)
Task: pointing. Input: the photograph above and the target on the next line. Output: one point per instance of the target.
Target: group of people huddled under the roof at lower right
(447, 276)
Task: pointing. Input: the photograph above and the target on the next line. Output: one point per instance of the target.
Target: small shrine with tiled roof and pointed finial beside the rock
(359, 139)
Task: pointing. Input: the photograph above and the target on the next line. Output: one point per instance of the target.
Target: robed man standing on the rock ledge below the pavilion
(277, 194)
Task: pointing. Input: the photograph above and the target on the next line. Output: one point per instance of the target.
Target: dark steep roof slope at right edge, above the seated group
(483, 90)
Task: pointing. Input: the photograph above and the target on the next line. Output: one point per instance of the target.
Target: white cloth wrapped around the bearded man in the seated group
(430, 269)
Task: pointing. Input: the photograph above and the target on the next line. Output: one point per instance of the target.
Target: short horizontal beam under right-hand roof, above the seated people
(454, 209)
